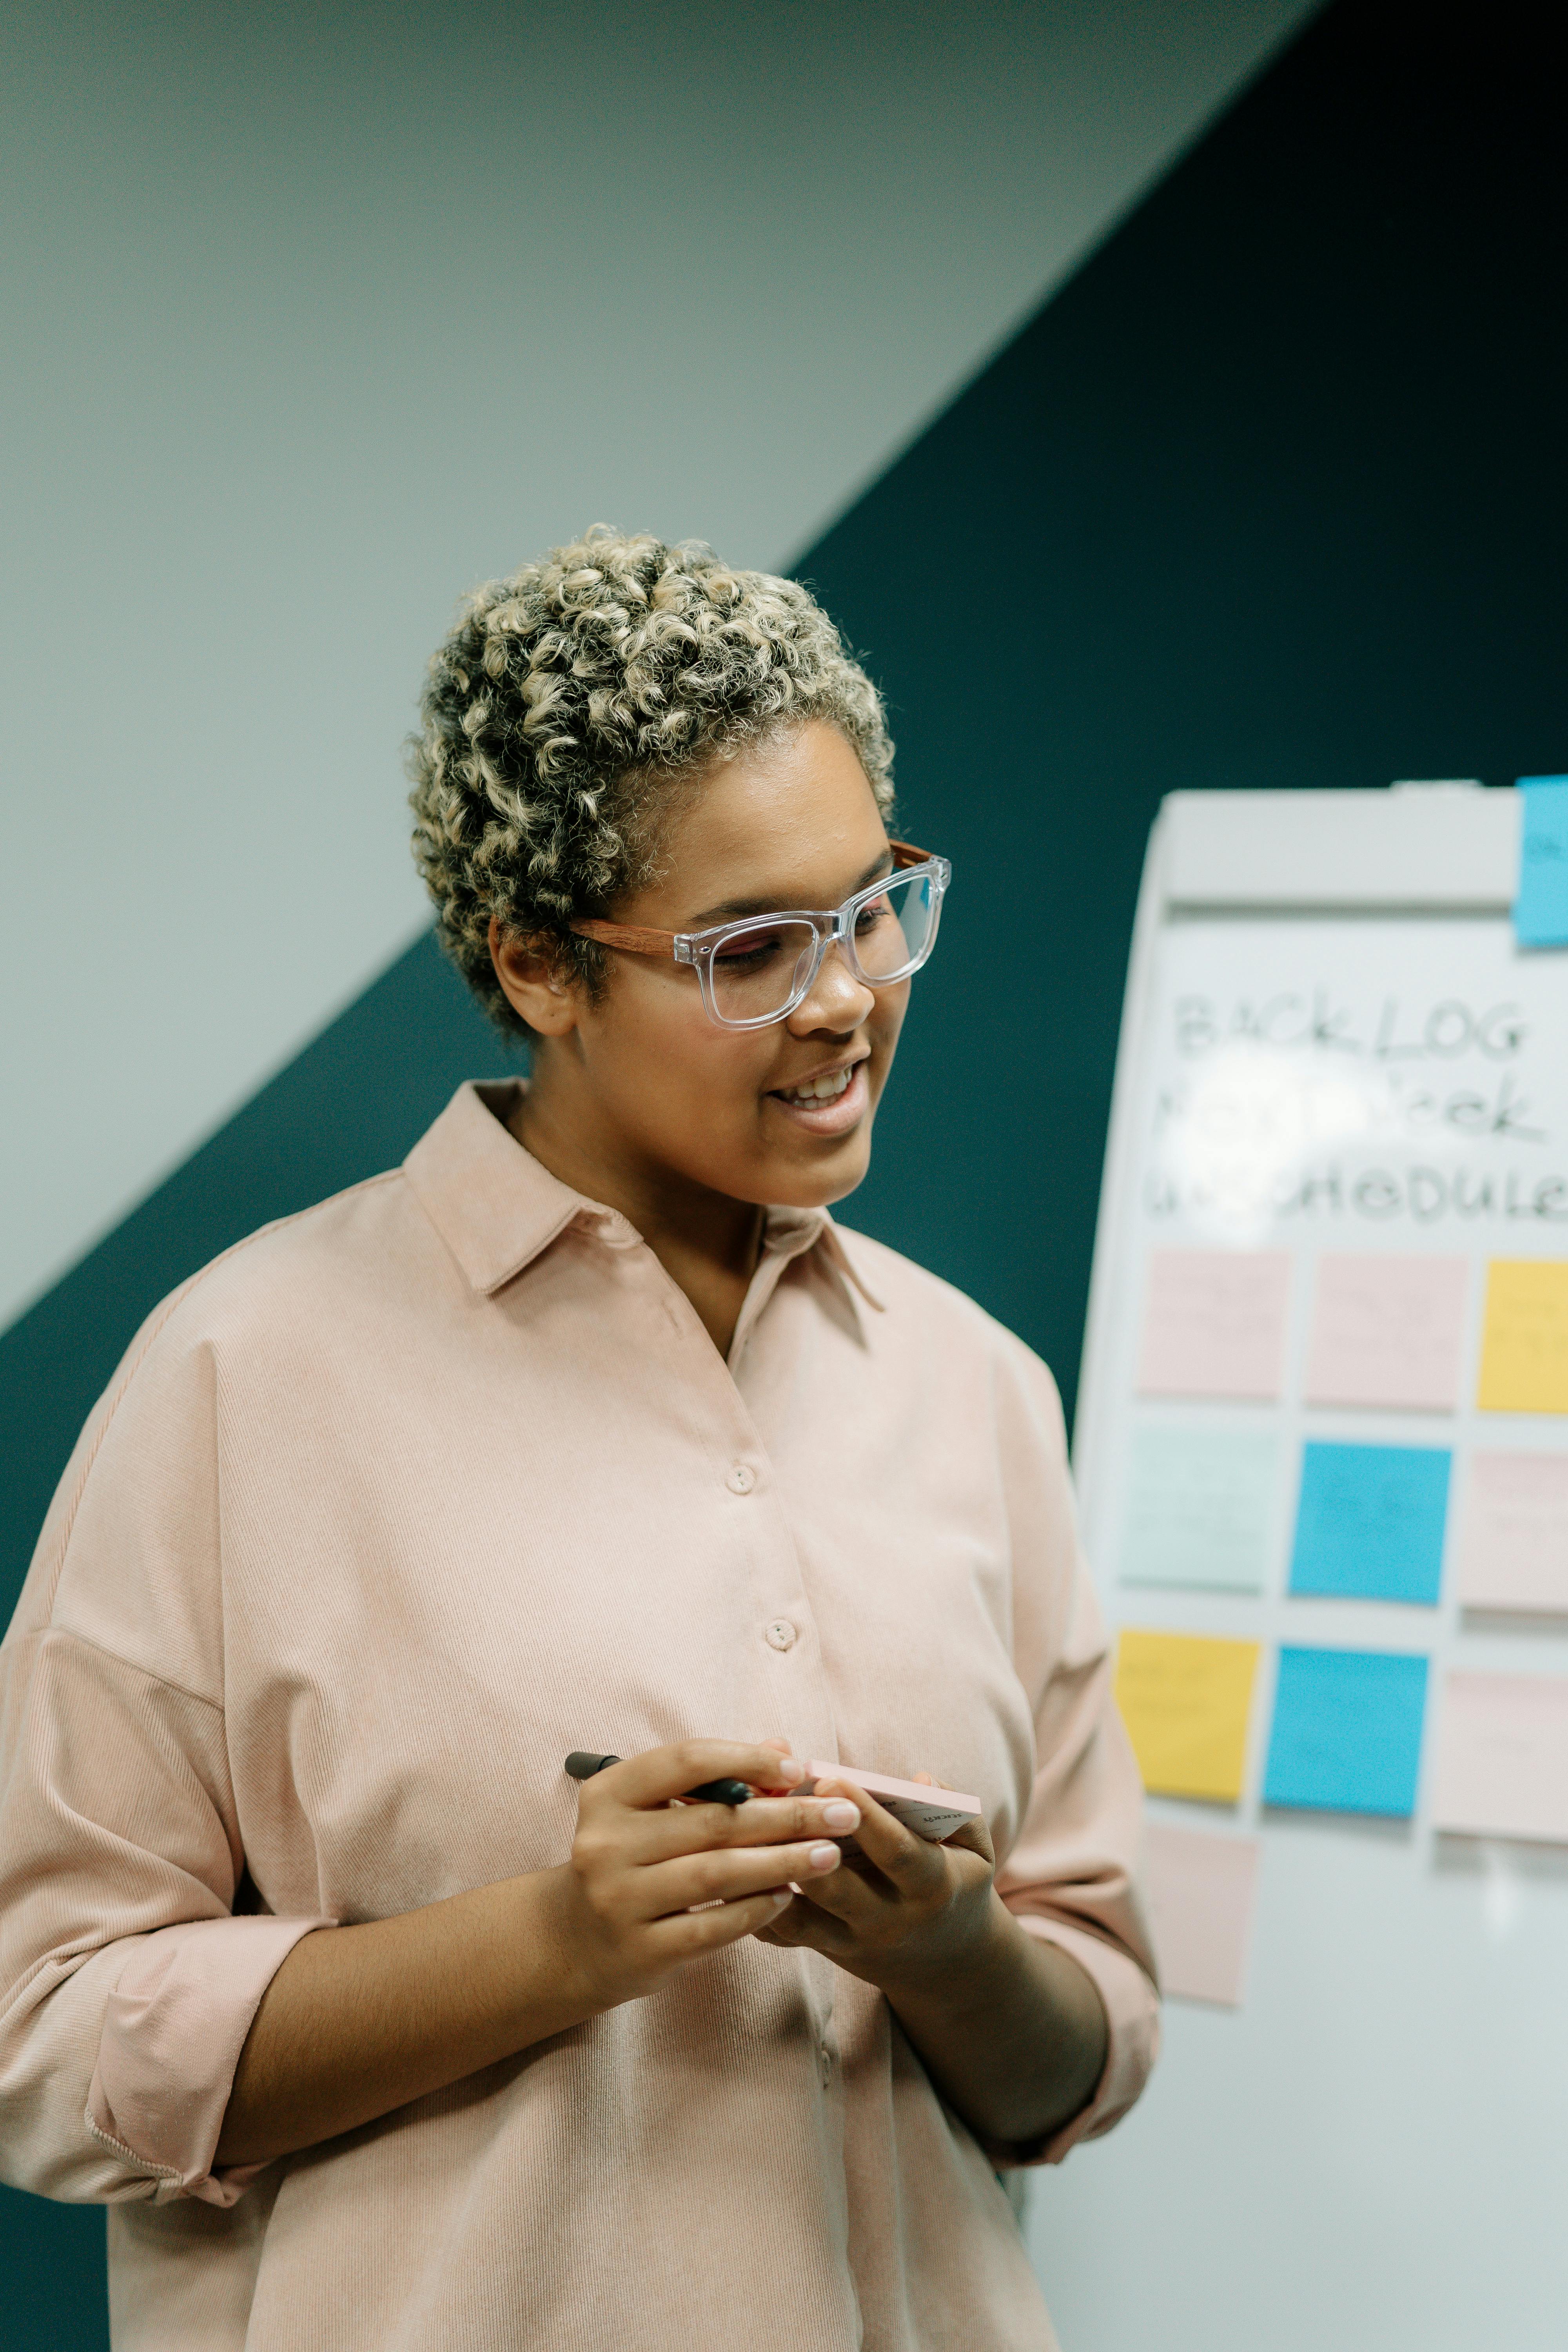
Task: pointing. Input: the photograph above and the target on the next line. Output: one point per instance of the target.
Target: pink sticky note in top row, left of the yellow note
(1388, 1332)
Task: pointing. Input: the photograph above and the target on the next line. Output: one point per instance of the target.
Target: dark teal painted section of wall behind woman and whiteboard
(1271, 495)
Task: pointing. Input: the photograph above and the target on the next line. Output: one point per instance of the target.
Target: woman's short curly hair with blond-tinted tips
(572, 702)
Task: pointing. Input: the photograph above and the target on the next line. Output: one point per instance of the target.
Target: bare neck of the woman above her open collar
(704, 1241)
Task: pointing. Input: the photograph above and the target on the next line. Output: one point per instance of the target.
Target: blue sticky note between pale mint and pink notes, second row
(1369, 1523)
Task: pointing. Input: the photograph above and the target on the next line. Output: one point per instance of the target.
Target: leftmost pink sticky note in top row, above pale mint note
(1214, 1323)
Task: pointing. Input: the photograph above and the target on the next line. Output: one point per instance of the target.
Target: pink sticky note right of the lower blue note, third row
(1503, 1758)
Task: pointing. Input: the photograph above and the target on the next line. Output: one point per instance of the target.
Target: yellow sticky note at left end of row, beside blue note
(1186, 1702)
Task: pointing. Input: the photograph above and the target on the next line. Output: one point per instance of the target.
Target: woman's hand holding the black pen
(641, 1864)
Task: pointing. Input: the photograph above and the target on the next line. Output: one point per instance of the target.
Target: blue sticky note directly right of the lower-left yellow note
(1346, 1732)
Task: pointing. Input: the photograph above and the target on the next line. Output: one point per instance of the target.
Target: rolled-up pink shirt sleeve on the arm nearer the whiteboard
(1071, 1876)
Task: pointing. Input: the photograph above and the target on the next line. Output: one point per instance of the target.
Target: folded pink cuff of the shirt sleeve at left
(170, 2045)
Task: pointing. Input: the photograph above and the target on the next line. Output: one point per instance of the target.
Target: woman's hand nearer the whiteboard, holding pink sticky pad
(902, 1911)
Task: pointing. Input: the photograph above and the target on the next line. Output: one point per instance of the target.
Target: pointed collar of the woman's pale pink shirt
(497, 1208)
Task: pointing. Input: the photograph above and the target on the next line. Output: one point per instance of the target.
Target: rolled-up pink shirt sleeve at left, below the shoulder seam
(126, 1982)
